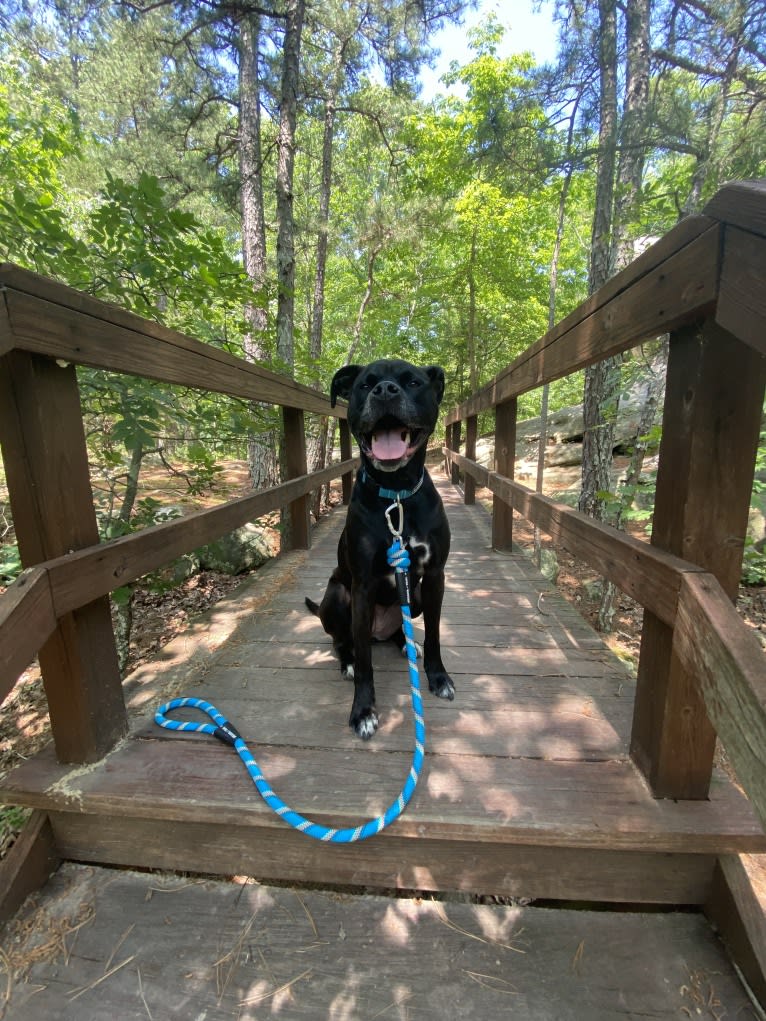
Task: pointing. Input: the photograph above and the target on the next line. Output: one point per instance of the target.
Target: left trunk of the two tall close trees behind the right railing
(602, 380)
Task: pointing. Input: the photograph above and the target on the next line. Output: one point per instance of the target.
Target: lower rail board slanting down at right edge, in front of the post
(729, 664)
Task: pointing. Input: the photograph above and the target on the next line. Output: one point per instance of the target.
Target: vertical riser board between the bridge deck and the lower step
(390, 862)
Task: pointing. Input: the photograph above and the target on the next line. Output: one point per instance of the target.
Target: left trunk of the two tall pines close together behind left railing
(262, 452)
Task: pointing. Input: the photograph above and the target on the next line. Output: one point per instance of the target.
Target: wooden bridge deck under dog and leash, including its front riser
(528, 783)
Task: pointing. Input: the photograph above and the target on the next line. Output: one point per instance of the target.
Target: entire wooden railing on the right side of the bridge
(701, 670)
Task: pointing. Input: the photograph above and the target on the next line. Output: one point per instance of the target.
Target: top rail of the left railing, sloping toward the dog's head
(59, 322)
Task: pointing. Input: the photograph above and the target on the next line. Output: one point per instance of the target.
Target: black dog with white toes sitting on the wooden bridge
(393, 411)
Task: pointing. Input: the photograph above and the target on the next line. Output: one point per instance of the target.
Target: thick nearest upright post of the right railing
(711, 425)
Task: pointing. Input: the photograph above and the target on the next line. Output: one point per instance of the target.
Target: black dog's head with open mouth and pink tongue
(393, 409)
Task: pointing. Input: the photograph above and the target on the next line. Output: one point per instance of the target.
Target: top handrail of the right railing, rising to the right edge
(677, 281)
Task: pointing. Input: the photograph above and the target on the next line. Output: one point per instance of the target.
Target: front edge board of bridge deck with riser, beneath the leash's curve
(585, 831)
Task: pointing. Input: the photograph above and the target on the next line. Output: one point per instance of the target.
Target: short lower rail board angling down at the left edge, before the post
(27, 621)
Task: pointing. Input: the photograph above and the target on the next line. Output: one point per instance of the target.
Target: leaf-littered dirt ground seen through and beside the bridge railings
(159, 617)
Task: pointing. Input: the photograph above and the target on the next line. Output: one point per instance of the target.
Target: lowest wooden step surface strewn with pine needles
(134, 947)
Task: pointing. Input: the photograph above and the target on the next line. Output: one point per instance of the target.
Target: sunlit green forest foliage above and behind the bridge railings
(406, 226)
